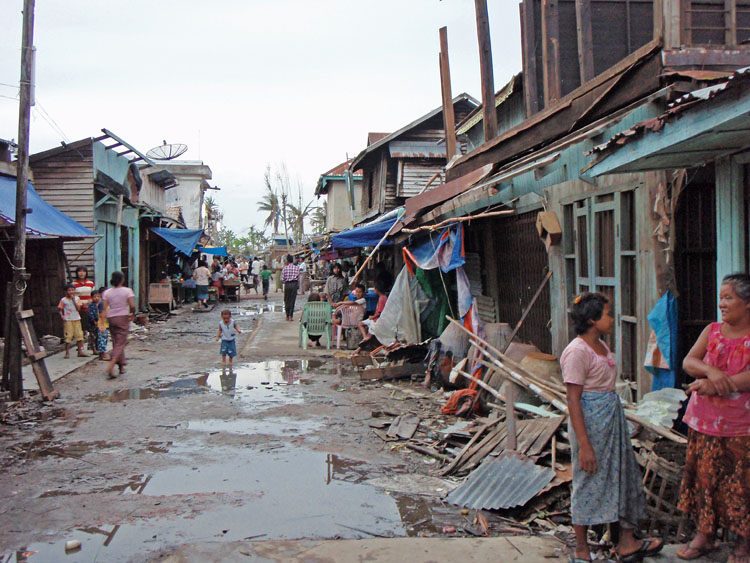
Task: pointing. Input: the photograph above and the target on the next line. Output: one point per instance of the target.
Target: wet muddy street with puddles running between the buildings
(179, 452)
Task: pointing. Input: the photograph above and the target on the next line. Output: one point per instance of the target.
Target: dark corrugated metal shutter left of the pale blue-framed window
(520, 262)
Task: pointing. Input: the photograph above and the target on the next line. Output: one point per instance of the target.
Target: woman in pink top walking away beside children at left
(119, 306)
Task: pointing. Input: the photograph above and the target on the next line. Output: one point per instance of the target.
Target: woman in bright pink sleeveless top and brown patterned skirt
(715, 487)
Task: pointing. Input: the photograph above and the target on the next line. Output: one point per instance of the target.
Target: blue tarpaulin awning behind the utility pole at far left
(44, 219)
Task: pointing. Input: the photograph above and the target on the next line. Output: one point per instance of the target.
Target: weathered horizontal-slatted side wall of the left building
(66, 181)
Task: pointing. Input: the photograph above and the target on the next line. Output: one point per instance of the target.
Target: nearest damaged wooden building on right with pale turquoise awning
(634, 224)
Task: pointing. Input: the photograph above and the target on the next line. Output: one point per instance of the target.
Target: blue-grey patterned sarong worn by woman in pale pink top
(615, 492)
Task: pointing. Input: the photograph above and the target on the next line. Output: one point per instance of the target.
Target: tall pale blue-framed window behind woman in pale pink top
(600, 247)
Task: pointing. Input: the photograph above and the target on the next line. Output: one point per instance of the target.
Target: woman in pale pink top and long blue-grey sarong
(607, 482)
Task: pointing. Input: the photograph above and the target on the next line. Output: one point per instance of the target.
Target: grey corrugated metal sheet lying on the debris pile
(508, 481)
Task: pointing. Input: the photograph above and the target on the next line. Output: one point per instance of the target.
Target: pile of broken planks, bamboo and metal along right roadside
(511, 458)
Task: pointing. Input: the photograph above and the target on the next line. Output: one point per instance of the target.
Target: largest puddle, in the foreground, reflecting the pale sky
(285, 494)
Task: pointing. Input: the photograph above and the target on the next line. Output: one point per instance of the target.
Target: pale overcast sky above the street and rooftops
(245, 83)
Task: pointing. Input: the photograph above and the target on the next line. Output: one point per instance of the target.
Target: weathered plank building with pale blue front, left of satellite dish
(99, 183)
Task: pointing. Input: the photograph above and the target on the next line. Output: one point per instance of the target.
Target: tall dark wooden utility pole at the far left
(20, 277)
